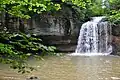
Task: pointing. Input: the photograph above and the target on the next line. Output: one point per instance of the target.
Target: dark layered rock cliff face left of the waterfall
(60, 29)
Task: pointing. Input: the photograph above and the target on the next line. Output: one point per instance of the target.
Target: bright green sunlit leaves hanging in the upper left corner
(24, 8)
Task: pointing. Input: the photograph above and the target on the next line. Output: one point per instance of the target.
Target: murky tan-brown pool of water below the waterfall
(70, 68)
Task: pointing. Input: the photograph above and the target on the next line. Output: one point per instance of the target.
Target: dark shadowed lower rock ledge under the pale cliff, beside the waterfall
(62, 43)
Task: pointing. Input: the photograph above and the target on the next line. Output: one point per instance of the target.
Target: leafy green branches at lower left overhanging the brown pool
(16, 48)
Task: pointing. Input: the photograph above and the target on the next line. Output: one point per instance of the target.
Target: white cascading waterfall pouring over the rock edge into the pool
(94, 38)
